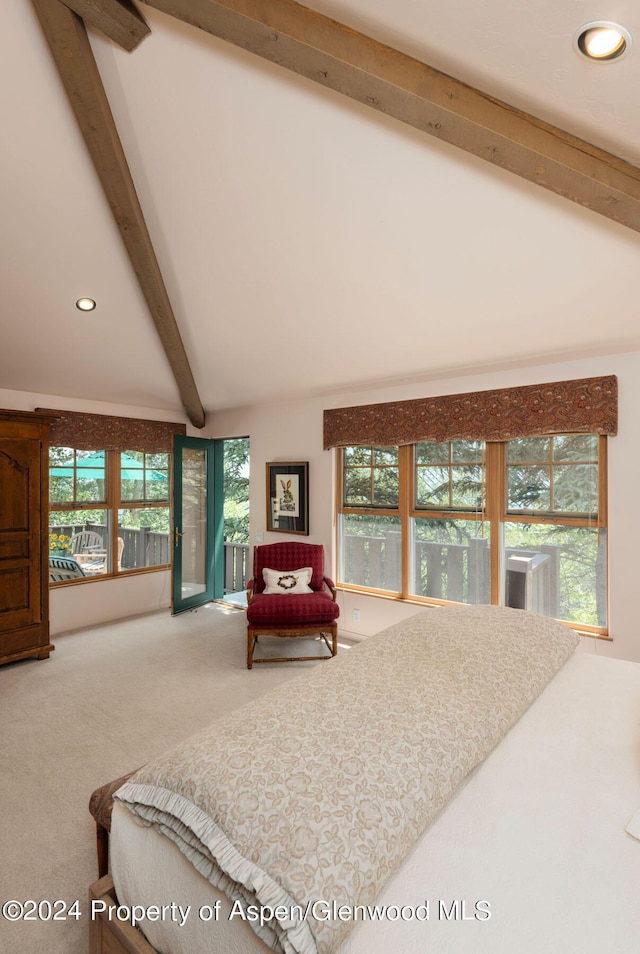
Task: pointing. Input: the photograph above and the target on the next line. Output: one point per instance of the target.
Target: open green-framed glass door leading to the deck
(197, 552)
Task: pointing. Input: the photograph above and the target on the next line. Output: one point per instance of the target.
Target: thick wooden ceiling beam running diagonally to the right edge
(385, 79)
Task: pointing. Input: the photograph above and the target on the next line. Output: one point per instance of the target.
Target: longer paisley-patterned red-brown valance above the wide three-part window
(586, 405)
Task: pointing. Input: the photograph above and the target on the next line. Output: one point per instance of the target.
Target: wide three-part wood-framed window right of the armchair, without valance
(520, 523)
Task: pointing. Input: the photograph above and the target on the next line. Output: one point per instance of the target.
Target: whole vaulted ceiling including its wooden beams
(415, 190)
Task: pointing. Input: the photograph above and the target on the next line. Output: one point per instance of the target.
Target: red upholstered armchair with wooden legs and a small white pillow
(294, 599)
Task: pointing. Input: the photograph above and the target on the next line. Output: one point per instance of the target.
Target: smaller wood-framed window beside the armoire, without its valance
(109, 510)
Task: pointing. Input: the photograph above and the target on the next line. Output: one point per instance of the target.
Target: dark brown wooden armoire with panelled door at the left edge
(24, 541)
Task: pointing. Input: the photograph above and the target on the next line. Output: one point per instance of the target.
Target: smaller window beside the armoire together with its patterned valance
(110, 495)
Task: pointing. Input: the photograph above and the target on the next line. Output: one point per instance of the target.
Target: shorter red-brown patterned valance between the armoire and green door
(103, 432)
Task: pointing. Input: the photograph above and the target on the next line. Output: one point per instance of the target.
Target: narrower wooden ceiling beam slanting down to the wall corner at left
(69, 44)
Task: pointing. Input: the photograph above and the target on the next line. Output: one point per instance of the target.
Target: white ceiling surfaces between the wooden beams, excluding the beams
(307, 243)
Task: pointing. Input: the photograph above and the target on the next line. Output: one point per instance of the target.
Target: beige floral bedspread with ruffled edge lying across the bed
(318, 790)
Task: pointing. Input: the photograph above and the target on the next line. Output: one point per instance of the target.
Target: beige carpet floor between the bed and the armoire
(107, 700)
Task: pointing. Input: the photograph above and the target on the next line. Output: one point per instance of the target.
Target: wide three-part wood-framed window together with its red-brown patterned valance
(487, 497)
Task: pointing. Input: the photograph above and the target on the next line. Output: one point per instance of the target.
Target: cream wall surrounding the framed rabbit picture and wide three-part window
(295, 433)
